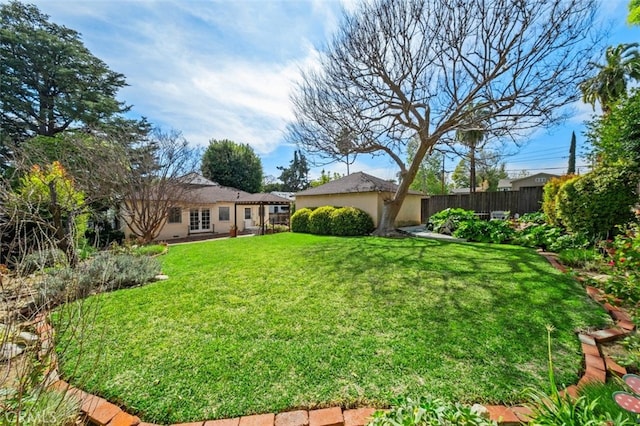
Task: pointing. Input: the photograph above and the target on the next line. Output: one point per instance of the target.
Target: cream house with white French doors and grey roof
(211, 208)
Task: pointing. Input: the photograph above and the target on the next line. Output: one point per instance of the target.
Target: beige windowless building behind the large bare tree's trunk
(365, 192)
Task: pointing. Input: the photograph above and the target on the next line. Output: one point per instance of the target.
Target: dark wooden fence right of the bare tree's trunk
(526, 200)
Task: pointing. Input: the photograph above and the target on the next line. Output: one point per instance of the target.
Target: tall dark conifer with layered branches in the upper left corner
(50, 81)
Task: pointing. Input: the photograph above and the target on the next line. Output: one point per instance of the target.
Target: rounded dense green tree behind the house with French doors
(231, 164)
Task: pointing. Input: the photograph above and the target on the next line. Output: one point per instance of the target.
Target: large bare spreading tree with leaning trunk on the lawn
(403, 68)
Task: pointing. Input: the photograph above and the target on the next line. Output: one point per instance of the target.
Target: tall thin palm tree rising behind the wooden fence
(472, 133)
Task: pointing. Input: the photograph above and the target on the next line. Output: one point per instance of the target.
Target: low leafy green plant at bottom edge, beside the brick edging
(426, 412)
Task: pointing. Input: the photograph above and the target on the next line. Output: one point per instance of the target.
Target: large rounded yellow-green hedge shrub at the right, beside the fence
(596, 202)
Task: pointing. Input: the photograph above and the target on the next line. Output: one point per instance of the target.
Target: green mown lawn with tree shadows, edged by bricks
(288, 321)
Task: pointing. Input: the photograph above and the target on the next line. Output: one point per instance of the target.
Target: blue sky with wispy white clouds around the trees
(226, 69)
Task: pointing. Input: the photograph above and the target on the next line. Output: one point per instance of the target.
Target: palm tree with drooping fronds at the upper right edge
(610, 83)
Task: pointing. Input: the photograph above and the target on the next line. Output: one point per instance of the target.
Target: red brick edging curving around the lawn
(101, 412)
